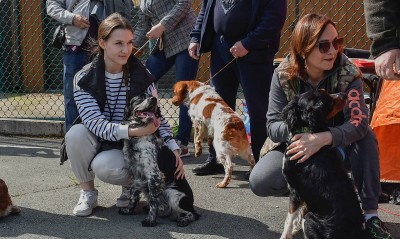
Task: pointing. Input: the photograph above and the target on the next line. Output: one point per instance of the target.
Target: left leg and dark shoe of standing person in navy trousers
(226, 84)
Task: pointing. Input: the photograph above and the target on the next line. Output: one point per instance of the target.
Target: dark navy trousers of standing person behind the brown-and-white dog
(255, 80)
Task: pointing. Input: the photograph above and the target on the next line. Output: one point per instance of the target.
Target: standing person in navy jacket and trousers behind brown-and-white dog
(250, 32)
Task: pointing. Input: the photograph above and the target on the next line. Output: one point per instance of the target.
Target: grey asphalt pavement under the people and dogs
(47, 193)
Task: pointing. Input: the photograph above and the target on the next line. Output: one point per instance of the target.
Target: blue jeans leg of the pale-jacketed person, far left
(73, 62)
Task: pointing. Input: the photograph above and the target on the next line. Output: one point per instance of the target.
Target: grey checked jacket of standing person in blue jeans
(177, 16)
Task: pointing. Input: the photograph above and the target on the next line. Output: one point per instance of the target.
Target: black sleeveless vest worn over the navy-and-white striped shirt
(94, 80)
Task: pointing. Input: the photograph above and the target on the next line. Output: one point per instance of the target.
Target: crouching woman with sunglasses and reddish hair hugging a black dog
(315, 62)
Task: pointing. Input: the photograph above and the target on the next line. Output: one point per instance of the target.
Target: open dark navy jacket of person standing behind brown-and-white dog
(263, 32)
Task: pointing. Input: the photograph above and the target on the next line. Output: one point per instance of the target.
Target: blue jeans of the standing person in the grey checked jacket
(185, 69)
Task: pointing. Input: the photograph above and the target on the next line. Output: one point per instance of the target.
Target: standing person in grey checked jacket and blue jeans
(170, 22)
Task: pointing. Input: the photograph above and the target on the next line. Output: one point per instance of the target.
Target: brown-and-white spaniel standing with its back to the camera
(212, 116)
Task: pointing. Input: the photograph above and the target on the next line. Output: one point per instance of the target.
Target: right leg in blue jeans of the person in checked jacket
(185, 69)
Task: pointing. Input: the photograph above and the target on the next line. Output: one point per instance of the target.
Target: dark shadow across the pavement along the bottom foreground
(107, 223)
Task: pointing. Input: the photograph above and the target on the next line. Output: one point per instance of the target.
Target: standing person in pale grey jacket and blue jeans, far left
(81, 19)
